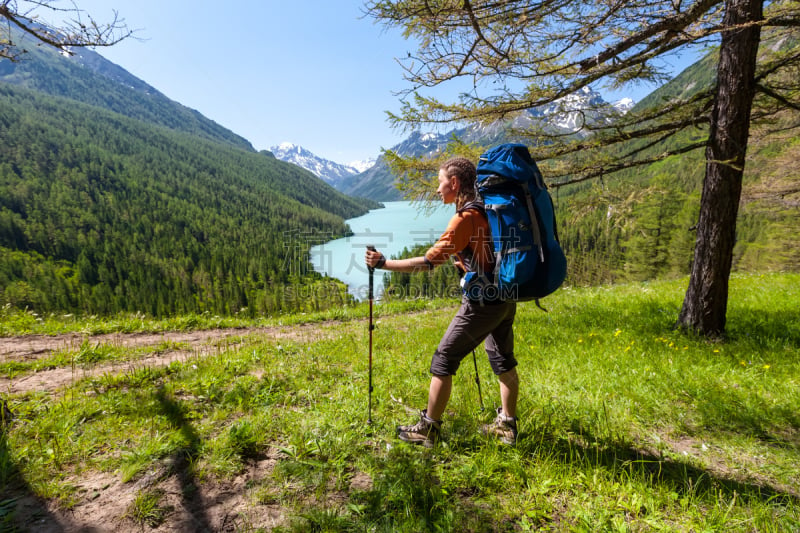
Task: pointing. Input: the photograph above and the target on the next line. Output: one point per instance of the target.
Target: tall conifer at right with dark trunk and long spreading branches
(519, 55)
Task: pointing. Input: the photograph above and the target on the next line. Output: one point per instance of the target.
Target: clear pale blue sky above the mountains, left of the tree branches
(311, 72)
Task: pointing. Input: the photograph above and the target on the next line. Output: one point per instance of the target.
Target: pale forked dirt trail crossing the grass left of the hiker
(197, 344)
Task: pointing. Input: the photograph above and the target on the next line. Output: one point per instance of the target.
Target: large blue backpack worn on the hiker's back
(529, 261)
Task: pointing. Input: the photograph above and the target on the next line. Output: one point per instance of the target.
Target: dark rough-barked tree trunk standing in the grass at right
(706, 302)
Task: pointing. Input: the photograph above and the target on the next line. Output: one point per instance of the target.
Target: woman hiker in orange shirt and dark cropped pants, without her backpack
(468, 240)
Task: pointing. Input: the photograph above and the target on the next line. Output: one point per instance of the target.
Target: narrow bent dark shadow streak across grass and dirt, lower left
(182, 461)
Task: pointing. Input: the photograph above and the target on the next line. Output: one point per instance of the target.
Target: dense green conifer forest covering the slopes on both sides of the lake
(114, 198)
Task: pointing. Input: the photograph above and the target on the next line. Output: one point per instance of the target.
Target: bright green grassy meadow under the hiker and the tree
(626, 424)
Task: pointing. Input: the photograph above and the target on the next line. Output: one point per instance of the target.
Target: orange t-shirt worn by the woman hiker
(468, 238)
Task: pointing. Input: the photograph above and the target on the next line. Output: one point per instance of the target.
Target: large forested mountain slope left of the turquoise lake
(161, 213)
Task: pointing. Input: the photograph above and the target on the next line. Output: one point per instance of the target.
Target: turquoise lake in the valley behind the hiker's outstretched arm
(397, 226)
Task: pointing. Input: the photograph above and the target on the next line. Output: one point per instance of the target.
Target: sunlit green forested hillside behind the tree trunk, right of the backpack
(640, 224)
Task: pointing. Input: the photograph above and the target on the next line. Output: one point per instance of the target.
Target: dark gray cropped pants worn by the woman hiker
(472, 324)
